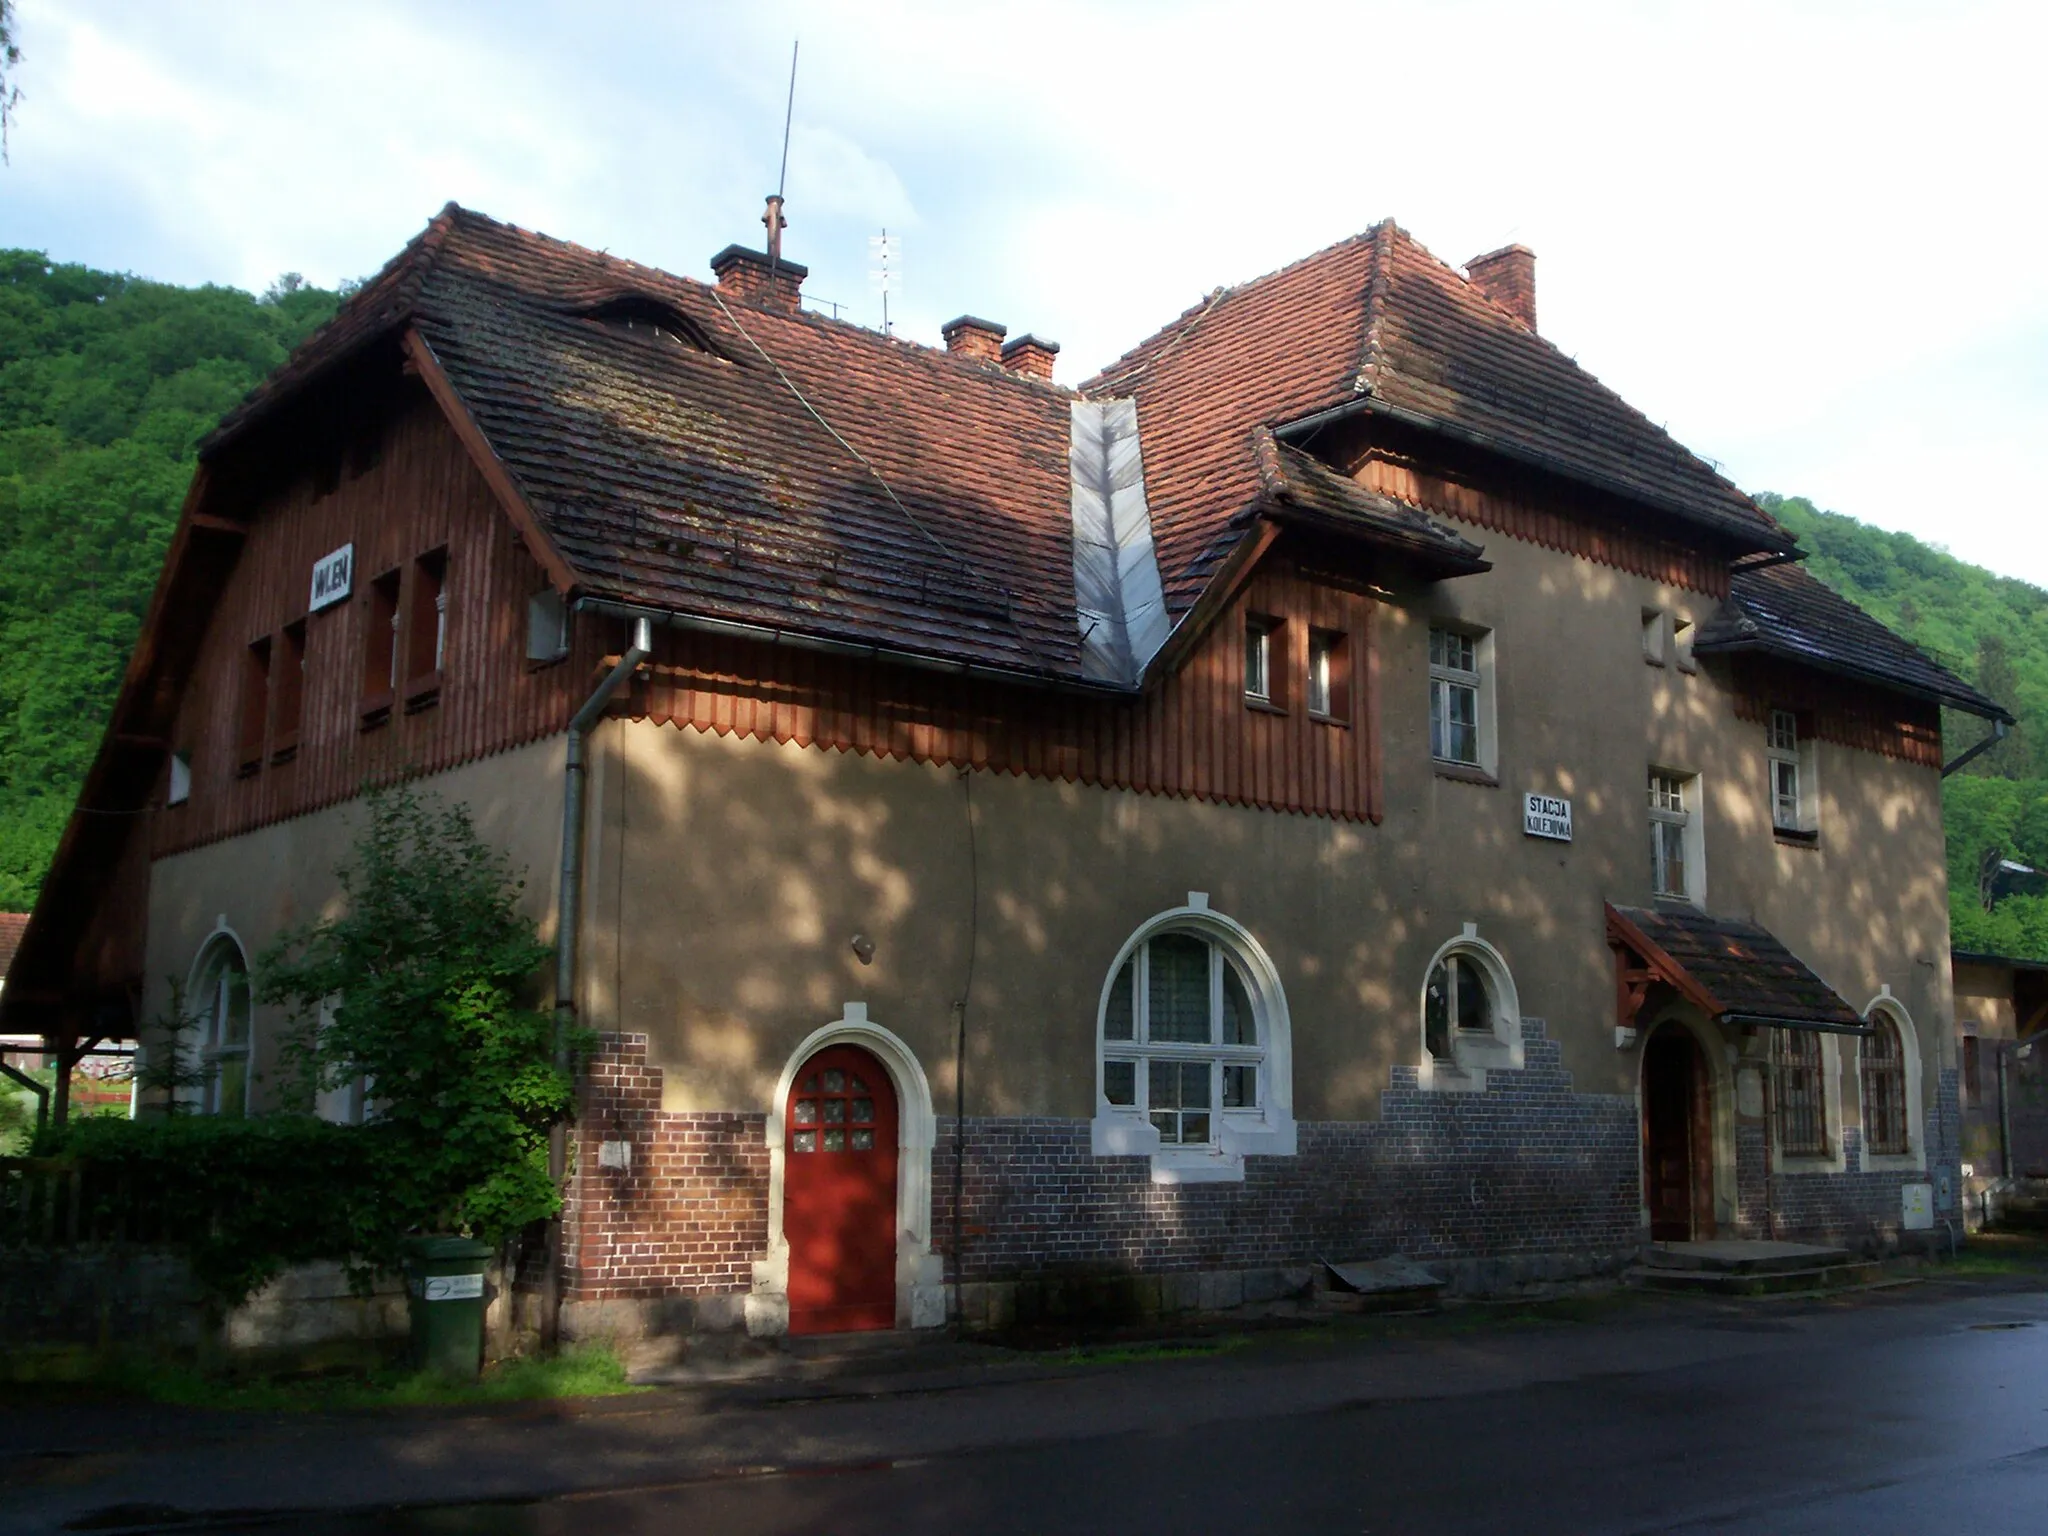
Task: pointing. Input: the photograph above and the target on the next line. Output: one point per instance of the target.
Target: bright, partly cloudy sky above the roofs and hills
(1807, 239)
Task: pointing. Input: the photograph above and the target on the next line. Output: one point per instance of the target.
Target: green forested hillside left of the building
(105, 388)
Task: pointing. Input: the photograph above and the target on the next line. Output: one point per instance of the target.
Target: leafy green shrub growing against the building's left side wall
(417, 988)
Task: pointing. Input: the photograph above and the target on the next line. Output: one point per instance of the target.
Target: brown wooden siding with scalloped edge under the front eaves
(1193, 736)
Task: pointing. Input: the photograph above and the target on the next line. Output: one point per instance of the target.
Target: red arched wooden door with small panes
(839, 1193)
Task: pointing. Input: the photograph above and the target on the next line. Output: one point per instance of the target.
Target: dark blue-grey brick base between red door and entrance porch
(1525, 1168)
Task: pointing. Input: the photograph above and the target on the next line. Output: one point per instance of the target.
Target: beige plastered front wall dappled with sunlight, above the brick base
(732, 876)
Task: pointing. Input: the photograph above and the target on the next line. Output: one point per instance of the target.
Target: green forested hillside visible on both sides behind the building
(108, 384)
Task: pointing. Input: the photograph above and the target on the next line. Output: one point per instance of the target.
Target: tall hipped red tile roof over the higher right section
(1379, 321)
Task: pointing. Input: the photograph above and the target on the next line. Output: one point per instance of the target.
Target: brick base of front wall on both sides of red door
(1527, 1181)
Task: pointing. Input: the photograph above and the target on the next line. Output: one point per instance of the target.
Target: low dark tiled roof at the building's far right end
(1787, 613)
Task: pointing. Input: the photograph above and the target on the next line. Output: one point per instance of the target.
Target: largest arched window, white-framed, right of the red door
(1193, 1054)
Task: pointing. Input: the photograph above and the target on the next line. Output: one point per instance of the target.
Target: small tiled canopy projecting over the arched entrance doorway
(1734, 972)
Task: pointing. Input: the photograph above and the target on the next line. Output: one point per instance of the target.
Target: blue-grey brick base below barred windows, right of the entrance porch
(1850, 1207)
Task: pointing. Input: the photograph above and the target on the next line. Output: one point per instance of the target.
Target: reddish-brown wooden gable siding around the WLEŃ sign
(421, 495)
